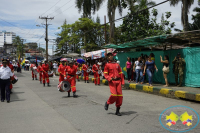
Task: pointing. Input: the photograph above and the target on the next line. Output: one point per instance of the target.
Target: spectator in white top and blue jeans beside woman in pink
(138, 69)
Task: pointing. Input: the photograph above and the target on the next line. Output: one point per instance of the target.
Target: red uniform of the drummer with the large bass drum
(71, 77)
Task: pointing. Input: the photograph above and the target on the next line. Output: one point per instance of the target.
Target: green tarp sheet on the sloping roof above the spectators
(152, 41)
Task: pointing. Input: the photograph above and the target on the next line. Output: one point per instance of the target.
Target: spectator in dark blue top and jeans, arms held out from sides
(149, 68)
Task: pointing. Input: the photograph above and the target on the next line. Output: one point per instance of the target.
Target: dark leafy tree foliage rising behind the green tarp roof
(144, 24)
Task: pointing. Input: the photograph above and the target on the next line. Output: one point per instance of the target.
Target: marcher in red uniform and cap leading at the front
(113, 73)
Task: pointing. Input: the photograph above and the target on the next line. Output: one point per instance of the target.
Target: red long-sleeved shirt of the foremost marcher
(113, 70)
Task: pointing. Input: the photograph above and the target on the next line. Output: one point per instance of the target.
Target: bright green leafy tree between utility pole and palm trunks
(74, 37)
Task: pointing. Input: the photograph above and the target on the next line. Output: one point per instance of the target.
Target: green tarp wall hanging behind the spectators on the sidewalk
(191, 71)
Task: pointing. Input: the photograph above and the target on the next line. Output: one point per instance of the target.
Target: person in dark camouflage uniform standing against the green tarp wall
(179, 64)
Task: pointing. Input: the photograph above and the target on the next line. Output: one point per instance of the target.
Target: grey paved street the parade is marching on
(38, 109)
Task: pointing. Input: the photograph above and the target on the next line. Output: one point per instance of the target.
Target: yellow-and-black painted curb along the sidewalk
(188, 93)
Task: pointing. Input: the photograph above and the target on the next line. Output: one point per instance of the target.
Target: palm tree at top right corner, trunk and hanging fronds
(186, 4)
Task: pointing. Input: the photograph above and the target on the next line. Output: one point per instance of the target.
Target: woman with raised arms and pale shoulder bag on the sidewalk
(165, 68)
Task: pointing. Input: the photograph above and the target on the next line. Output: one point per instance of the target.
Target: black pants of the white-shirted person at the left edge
(5, 88)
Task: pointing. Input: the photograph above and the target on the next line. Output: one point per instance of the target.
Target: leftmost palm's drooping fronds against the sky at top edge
(87, 6)
